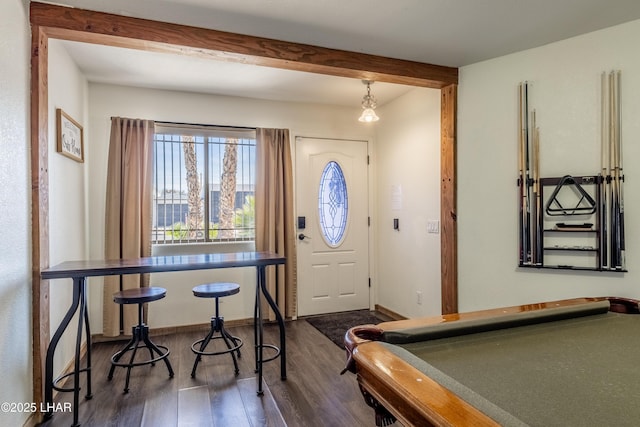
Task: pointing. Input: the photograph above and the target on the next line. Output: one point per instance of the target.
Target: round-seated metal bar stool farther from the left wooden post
(216, 290)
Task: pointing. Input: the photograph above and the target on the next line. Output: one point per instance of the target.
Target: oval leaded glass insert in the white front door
(333, 204)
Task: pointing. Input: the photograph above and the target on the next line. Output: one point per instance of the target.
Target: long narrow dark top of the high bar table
(158, 264)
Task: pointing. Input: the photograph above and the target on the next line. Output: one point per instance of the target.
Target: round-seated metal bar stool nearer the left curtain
(140, 333)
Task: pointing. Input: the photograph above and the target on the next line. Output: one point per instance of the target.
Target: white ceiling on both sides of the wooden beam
(444, 32)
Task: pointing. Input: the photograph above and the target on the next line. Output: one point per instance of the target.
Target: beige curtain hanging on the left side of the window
(128, 214)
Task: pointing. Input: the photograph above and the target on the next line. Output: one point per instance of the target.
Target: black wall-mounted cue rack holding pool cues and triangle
(572, 222)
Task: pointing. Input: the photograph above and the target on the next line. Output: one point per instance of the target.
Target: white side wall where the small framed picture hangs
(67, 191)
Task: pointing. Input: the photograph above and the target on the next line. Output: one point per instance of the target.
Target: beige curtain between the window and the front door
(275, 230)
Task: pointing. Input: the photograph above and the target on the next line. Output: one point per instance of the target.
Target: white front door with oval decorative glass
(333, 225)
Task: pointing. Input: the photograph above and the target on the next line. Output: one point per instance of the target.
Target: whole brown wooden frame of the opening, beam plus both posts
(60, 22)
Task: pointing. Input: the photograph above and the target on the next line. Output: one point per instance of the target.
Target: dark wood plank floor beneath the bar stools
(314, 394)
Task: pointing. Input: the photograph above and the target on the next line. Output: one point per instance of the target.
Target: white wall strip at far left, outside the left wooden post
(15, 220)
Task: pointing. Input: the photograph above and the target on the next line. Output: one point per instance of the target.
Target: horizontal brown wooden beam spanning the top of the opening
(114, 30)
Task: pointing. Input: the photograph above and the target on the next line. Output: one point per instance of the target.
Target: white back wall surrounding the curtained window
(109, 100)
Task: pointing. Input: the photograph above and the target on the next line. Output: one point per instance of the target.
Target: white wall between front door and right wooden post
(408, 188)
